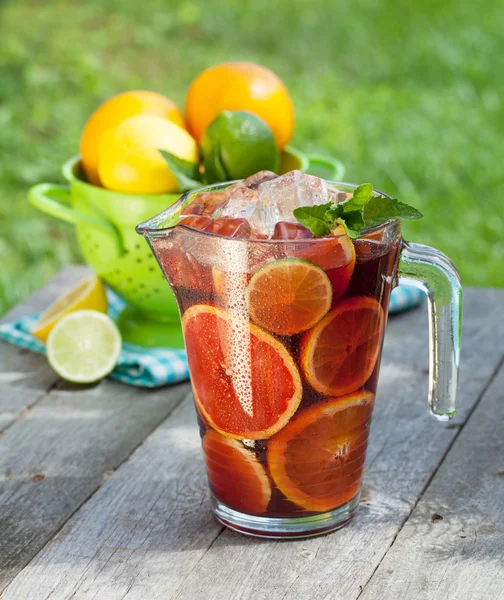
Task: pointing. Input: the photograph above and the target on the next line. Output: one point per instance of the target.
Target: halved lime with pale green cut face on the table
(84, 346)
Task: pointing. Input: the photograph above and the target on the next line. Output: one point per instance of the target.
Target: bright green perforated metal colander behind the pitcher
(105, 225)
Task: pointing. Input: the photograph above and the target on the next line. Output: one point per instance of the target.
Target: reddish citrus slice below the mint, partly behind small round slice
(336, 255)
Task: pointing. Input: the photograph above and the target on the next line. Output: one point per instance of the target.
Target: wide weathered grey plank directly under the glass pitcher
(148, 532)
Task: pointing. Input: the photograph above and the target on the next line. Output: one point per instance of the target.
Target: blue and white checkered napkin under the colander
(154, 367)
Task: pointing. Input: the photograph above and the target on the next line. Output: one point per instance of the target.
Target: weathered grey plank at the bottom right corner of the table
(452, 546)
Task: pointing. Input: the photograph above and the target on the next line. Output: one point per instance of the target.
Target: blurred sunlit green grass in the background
(408, 94)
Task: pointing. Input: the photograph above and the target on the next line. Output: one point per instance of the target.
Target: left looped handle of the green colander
(48, 198)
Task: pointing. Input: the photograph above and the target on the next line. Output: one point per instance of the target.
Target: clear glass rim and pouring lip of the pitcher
(145, 227)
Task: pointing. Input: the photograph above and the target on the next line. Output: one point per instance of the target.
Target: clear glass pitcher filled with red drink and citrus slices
(283, 340)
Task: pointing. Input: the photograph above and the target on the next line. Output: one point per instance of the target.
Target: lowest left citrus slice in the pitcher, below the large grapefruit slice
(236, 477)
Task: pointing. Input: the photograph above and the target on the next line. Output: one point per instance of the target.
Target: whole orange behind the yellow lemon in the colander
(113, 112)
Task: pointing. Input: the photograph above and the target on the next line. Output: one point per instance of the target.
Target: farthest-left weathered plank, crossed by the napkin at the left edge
(25, 376)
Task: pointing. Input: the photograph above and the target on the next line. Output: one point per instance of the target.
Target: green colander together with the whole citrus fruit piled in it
(139, 153)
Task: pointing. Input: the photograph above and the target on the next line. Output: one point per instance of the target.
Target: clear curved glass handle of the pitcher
(433, 272)
